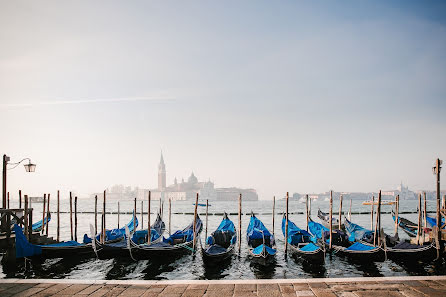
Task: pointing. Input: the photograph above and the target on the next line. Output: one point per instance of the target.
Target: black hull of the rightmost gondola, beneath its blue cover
(426, 254)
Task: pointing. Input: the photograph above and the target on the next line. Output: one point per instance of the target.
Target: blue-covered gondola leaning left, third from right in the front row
(301, 245)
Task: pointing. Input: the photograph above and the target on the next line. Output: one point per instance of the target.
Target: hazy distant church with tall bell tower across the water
(187, 190)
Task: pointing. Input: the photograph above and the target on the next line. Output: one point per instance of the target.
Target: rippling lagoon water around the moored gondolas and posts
(239, 267)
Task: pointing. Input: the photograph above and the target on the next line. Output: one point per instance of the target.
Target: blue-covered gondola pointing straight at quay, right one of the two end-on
(261, 243)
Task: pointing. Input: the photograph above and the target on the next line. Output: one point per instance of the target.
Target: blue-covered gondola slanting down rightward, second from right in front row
(341, 245)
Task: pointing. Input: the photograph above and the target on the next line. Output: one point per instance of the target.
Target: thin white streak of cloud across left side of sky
(86, 101)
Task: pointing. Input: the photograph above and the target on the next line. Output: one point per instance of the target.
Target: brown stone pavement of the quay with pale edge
(332, 287)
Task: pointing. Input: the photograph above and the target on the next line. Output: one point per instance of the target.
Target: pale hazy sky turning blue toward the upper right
(298, 96)
